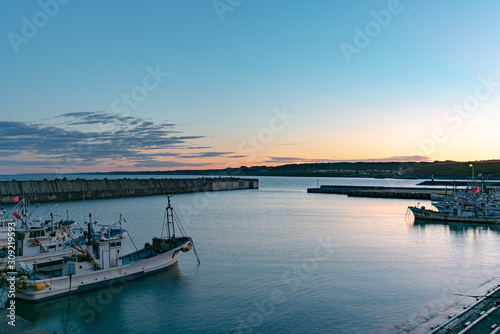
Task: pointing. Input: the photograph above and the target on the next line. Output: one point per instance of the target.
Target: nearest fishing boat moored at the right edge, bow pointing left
(458, 214)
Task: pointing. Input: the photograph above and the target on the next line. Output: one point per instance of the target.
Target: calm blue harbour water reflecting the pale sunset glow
(280, 260)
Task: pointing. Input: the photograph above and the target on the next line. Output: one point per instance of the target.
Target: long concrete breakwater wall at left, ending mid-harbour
(69, 190)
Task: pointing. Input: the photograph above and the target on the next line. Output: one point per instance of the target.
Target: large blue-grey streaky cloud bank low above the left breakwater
(93, 138)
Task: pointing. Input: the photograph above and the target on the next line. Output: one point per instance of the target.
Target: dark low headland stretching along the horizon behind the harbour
(489, 169)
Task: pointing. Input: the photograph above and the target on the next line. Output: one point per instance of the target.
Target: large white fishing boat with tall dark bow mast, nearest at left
(101, 262)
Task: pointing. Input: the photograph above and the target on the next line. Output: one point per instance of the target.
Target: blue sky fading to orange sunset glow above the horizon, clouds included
(96, 86)
